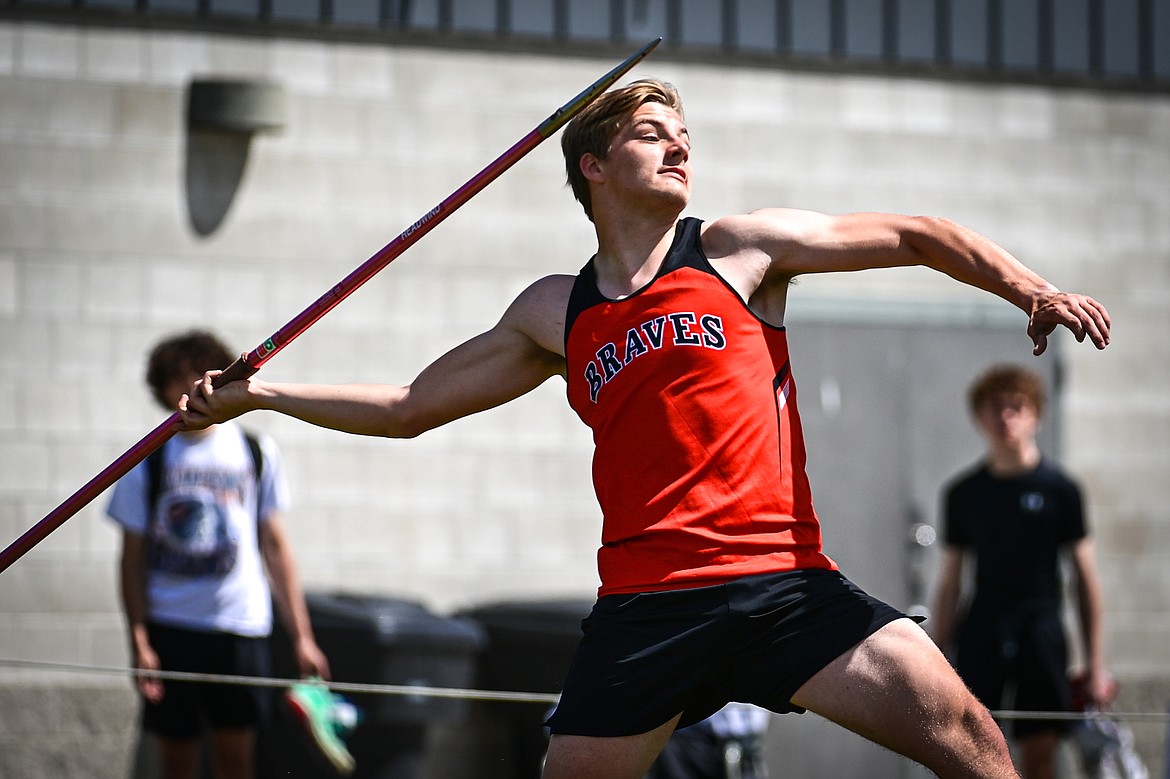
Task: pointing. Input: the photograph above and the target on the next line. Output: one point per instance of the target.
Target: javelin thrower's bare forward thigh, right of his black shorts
(894, 688)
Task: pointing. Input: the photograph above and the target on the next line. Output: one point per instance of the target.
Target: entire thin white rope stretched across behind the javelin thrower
(421, 692)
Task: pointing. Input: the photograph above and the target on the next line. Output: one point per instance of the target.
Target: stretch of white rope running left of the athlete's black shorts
(408, 691)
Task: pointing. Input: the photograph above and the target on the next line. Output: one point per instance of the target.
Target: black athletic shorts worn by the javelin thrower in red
(648, 657)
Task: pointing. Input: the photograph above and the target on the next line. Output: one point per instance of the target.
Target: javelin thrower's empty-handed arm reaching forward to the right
(775, 245)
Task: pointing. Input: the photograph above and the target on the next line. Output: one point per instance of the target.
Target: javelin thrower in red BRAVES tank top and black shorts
(714, 585)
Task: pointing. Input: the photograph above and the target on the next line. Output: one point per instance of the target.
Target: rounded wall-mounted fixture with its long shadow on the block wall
(223, 116)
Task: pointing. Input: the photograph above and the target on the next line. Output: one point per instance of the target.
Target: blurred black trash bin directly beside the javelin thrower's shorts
(531, 645)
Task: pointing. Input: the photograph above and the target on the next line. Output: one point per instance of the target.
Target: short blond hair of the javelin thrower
(593, 130)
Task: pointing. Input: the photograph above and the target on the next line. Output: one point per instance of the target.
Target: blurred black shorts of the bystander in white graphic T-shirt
(187, 707)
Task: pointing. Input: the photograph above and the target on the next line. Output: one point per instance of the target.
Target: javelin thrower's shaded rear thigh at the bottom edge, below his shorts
(611, 757)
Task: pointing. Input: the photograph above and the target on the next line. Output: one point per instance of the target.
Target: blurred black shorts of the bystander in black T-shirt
(1020, 663)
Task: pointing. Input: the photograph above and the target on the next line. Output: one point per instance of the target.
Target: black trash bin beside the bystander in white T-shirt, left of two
(377, 640)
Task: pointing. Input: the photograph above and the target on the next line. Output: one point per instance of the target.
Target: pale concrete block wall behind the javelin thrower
(99, 259)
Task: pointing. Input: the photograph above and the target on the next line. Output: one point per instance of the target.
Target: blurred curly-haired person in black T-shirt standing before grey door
(1017, 515)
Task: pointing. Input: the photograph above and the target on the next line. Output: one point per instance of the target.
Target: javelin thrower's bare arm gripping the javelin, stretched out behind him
(481, 374)
